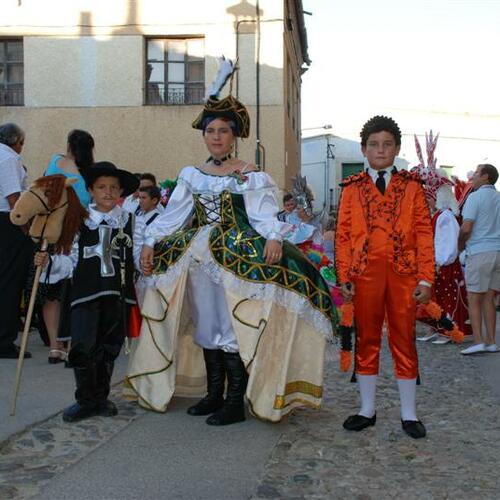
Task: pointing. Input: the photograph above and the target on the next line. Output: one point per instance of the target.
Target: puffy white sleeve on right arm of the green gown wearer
(262, 210)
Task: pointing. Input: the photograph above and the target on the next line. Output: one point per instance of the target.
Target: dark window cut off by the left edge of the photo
(11, 73)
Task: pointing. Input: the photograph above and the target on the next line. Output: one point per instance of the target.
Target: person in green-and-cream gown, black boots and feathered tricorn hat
(232, 301)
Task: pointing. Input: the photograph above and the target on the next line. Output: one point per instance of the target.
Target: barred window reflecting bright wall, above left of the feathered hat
(175, 71)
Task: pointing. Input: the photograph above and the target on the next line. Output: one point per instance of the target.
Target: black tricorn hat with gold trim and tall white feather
(228, 107)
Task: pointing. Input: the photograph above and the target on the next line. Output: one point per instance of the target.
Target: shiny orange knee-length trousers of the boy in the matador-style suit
(379, 293)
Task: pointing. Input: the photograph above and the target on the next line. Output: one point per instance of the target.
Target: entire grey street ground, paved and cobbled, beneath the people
(147, 455)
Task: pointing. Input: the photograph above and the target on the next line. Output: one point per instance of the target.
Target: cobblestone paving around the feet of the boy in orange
(316, 458)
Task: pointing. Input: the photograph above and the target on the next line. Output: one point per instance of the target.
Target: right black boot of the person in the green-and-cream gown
(234, 408)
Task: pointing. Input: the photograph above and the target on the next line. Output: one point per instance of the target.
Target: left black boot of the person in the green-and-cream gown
(216, 377)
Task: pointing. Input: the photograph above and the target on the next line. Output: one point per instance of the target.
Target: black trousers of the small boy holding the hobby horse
(97, 336)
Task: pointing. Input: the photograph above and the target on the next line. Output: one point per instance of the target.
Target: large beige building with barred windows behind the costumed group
(134, 72)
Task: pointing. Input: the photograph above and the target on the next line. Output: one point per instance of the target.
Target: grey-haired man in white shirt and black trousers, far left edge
(15, 246)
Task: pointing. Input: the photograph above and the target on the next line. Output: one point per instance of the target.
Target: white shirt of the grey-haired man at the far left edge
(13, 177)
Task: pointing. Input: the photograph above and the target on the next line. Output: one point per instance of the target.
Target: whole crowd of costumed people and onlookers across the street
(227, 284)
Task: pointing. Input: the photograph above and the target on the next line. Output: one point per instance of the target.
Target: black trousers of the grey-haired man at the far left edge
(16, 254)
